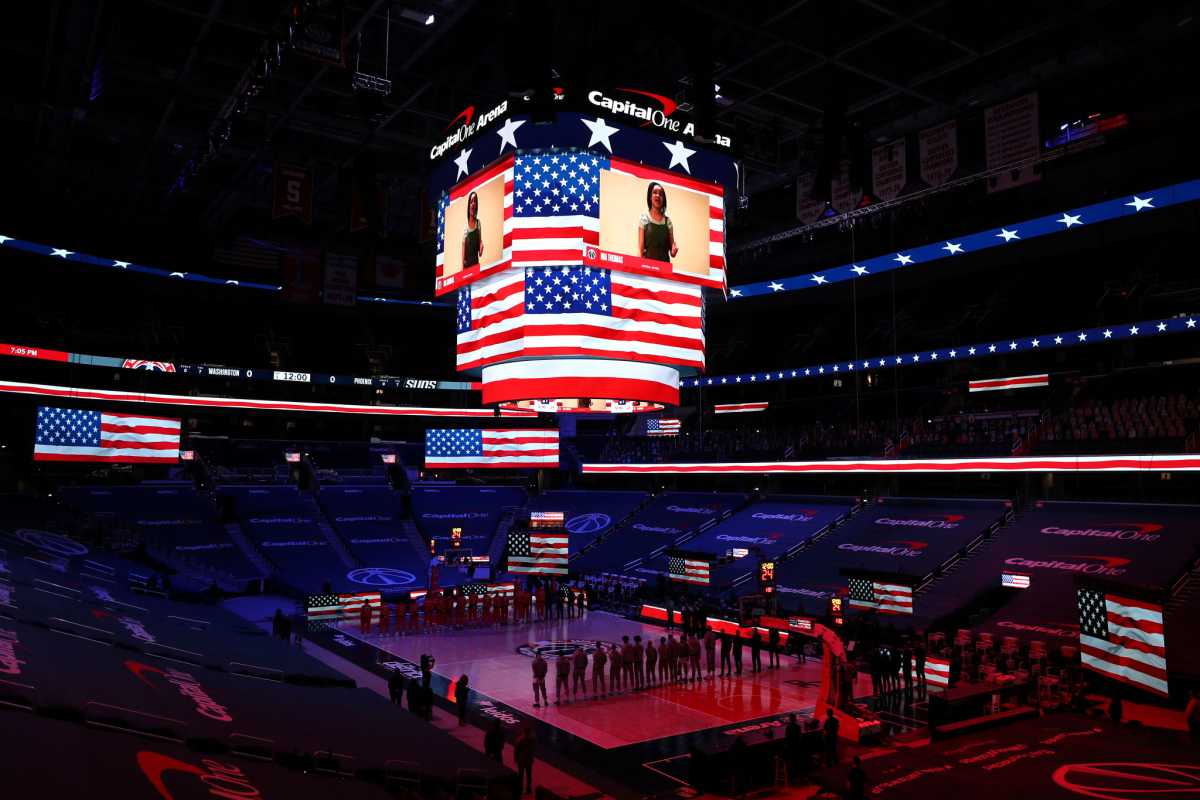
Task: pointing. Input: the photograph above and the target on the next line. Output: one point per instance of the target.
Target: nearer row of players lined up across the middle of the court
(632, 667)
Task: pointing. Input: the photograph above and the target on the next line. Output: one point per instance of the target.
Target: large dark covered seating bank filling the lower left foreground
(99, 659)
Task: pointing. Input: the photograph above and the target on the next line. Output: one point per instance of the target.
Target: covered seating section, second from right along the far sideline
(911, 537)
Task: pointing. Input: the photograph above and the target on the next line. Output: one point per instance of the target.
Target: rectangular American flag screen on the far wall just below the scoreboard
(490, 448)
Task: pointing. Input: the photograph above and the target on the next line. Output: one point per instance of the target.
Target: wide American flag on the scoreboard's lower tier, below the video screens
(580, 311)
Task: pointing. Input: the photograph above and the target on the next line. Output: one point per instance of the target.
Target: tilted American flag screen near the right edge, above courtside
(1124, 640)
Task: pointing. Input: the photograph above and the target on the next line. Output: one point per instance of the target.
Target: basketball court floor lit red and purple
(499, 665)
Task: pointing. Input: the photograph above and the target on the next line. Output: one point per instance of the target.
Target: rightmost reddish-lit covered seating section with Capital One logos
(1057, 542)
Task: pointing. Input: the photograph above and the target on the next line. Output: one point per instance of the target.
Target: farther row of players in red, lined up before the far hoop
(460, 610)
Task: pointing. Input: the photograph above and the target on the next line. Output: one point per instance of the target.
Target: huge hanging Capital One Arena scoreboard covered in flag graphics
(579, 252)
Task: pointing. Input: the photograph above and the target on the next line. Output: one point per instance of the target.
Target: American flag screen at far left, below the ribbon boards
(71, 435)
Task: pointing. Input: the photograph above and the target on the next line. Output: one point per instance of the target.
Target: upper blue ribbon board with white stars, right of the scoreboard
(958, 246)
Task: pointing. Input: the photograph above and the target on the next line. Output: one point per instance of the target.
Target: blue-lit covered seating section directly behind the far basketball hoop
(476, 509)
